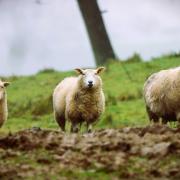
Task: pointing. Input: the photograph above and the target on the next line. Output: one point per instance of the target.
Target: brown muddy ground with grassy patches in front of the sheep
(128, 153)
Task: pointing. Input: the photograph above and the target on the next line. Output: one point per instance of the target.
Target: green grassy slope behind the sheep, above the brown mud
(30, 97)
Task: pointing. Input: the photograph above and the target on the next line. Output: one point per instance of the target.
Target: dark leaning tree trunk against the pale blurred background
(96, 30)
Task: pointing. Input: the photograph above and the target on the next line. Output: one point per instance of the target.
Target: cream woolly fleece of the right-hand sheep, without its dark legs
(162, 91)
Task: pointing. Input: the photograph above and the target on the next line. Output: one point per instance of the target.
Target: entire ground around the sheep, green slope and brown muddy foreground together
(119, 151)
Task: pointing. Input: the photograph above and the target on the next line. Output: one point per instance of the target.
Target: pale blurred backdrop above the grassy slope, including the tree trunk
(60, 34)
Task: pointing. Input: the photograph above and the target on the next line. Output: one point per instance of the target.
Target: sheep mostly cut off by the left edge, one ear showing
(3, 102)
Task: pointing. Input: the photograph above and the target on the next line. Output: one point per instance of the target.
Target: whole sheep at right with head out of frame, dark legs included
(162, 96)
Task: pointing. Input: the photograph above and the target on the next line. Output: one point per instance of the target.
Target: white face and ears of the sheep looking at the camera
(89, 78)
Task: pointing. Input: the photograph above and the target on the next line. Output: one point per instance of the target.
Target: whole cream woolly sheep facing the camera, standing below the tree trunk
(79, 99)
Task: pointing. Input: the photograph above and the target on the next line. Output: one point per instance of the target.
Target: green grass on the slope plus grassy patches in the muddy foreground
(30, 105)
